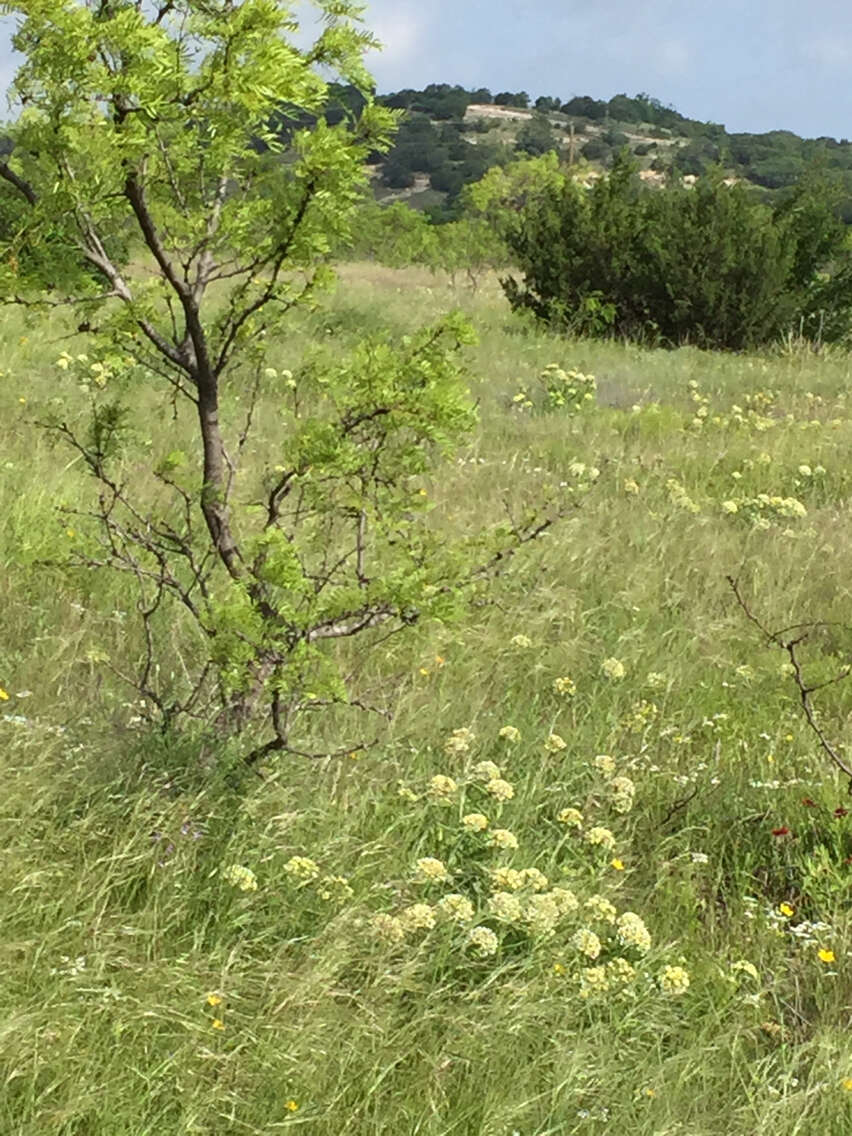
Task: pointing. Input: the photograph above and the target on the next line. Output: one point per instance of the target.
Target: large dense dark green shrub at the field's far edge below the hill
(708, 265)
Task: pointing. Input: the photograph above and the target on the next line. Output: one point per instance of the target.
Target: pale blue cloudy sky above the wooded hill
(753, 65)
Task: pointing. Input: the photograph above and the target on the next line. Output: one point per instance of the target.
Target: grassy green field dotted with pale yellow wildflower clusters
(179, 958)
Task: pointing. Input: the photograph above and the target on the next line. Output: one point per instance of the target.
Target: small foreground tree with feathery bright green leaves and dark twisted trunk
(180, 222)
